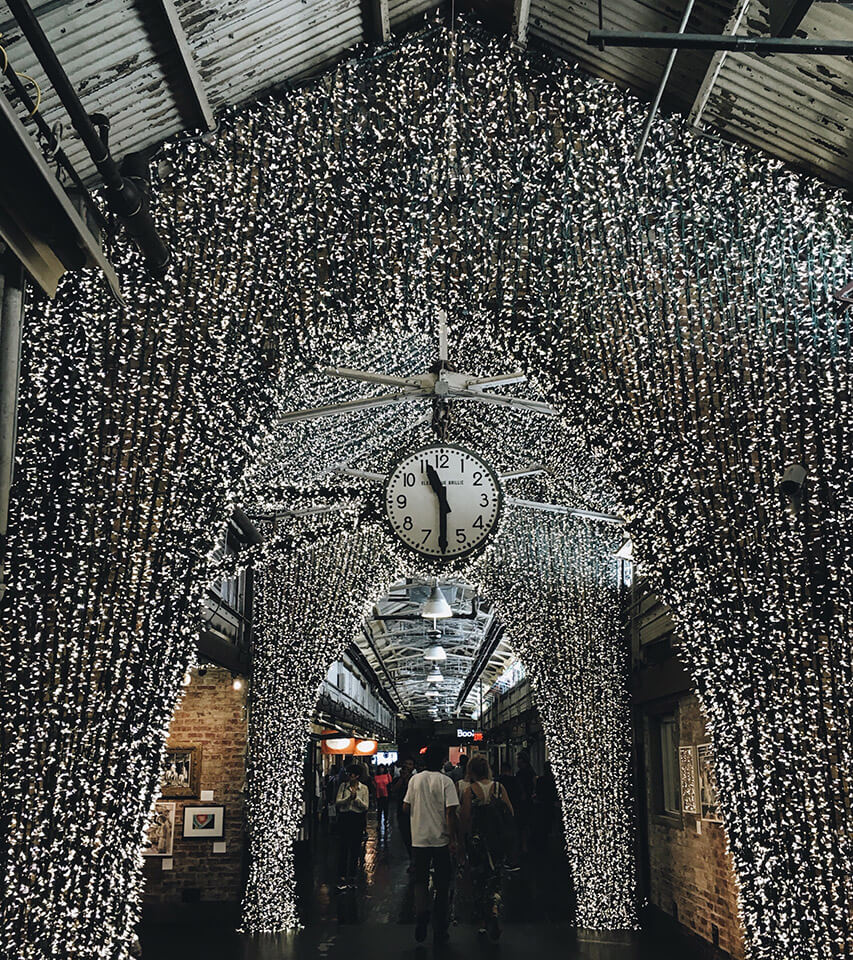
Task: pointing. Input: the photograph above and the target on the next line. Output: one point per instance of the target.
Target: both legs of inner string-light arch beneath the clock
(313, 587)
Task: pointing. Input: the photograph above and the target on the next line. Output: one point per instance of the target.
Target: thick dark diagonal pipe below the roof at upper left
(124, 196)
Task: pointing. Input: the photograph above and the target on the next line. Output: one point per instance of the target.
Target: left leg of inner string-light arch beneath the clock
(312, 589)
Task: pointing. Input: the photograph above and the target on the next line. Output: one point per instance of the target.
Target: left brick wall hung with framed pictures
(213, 716)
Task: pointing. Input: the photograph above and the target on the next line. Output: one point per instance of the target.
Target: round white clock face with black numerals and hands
(442, 501)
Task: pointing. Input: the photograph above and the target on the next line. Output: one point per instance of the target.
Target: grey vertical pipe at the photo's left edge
(11, 327)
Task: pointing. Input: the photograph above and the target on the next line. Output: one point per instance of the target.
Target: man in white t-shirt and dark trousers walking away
(432, 801)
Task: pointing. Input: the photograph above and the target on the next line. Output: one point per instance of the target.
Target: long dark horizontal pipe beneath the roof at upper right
(713, 41)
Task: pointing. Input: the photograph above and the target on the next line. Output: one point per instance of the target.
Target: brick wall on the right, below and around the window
(690, 872)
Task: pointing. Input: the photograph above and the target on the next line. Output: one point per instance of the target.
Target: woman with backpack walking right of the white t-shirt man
(487, 820)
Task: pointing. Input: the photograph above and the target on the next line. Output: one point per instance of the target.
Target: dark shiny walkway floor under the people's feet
(376, 920)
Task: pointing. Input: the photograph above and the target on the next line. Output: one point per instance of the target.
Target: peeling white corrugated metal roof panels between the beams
(118, 54)
